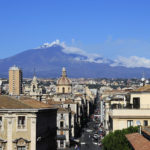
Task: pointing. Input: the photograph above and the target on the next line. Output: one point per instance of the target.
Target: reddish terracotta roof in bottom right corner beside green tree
(138, 142)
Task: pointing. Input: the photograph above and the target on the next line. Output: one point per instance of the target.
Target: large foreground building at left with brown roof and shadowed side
(26, 124)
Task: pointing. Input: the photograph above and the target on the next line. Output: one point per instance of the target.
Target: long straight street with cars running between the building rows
(90, 139)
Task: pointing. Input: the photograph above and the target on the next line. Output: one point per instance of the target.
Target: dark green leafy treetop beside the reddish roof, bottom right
(117, 141)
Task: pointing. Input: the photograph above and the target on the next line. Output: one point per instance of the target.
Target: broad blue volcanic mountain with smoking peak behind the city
(48, 61)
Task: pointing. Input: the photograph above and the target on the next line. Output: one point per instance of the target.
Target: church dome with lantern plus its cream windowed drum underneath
(64, 84)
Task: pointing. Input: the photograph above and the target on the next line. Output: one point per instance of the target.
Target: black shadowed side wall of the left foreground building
(46, 129)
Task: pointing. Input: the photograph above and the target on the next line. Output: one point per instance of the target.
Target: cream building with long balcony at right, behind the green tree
(136, 110)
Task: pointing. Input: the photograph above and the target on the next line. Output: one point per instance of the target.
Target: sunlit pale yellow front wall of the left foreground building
(11, 132)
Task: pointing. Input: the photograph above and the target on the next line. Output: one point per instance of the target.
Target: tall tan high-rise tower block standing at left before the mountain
(15, 81)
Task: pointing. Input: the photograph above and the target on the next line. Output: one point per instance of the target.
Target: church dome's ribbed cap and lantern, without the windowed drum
(63, 80)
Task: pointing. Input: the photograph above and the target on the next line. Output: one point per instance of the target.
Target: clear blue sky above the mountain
(114, 29)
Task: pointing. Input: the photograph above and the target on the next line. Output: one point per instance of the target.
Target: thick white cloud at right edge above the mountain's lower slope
(131, 62)
